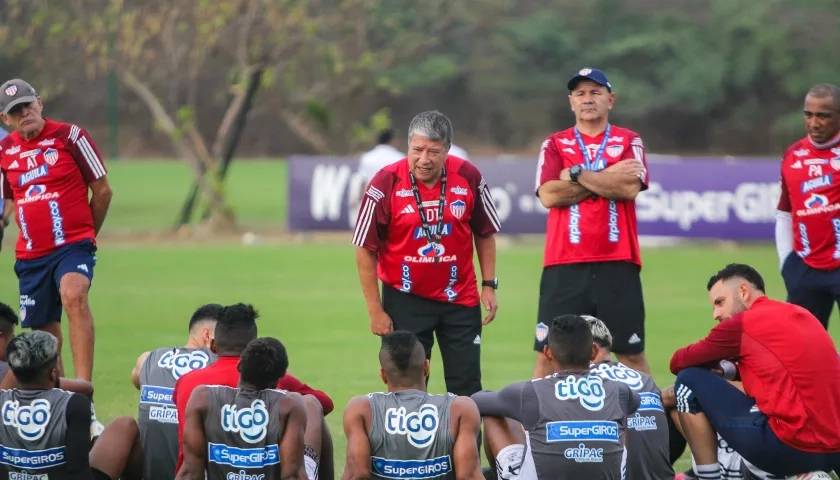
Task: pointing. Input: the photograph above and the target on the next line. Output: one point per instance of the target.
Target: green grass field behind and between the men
(308, 295)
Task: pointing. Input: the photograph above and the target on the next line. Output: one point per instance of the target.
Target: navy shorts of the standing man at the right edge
(814, 290)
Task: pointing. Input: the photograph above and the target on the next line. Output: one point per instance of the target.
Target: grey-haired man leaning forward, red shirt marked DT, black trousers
(415, 232)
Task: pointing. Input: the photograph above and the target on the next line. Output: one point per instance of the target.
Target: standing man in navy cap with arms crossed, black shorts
(589, 176)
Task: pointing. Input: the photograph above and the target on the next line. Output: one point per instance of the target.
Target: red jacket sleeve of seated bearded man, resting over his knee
(723, 342)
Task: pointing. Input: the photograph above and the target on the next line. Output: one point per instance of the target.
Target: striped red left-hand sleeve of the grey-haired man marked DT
(374, 216)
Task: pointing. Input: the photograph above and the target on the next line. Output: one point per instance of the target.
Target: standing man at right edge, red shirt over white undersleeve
(808, 217)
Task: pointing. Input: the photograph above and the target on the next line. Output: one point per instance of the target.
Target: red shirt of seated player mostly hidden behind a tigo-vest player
(225, 372)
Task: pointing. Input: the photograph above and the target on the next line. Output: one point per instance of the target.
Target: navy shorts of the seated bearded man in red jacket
(735, 417)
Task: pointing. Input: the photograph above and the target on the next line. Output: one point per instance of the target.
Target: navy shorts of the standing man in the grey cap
(39, 280)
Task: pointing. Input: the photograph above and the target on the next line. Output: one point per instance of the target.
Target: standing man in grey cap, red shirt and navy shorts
(46, 171)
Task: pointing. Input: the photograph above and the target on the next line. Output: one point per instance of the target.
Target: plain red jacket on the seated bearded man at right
(788, 364)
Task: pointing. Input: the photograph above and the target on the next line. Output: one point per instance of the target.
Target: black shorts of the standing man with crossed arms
(611, 291)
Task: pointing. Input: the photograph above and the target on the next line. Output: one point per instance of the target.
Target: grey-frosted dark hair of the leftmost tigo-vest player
(31, 355)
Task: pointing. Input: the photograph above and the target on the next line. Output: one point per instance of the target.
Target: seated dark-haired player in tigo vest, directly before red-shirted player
(253, 431)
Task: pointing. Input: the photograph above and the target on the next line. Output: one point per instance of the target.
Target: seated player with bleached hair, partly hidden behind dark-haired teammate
(647, 430)
